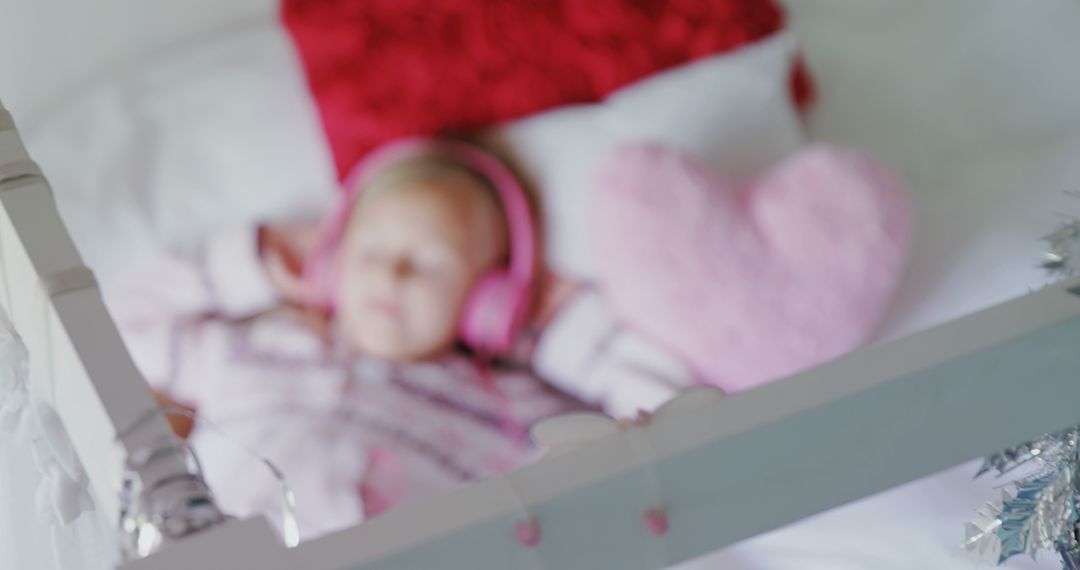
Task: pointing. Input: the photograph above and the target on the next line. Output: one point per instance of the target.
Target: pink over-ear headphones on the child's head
(499, 305)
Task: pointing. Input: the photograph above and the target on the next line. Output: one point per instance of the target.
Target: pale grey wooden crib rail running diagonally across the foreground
(872, 420)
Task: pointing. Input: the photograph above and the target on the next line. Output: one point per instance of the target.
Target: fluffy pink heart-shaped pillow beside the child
(749, 283)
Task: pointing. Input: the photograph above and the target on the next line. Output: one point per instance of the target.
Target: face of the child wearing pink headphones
(409, 261)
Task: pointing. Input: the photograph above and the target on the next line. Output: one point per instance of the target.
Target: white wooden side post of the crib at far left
(78, 363)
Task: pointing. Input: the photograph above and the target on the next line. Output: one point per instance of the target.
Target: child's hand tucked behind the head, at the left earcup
(285, 249)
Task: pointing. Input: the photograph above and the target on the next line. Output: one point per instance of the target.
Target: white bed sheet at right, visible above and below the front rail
(978, 105)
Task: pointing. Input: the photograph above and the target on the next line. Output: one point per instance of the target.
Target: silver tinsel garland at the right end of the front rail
(1043, 511)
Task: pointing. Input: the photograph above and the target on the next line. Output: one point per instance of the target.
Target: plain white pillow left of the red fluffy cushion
(220, 133)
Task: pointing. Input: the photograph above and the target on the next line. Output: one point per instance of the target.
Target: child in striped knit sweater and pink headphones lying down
(388, 354)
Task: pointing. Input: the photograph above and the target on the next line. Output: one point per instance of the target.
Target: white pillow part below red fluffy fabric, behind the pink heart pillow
(734, 112)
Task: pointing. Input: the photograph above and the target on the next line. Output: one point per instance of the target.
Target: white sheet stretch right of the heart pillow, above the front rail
(976, 104)
